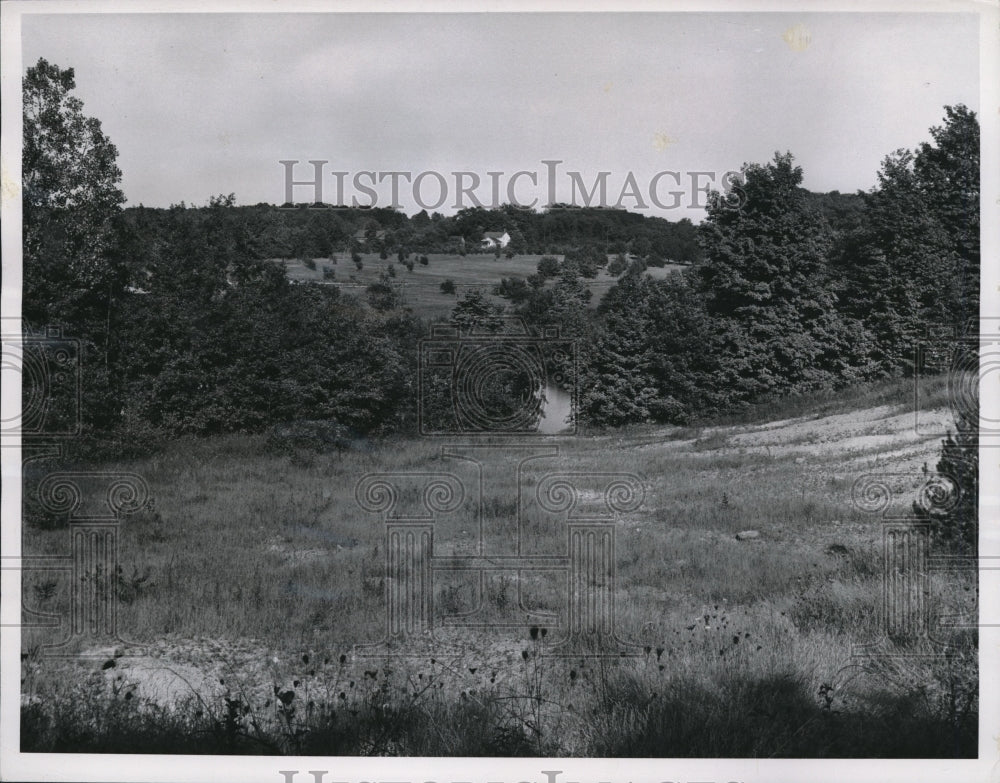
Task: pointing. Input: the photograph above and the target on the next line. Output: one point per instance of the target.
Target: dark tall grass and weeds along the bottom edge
(625, 712)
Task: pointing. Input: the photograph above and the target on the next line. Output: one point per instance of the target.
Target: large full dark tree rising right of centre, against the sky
(766, 281)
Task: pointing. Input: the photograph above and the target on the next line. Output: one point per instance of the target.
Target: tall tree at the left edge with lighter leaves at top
(74, 273)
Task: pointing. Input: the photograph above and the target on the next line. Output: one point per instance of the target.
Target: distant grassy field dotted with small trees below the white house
(421, 287)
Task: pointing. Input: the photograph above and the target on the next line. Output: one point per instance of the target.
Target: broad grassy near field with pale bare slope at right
(246, 593)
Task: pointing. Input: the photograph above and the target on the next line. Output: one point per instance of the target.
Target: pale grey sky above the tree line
(205, 104)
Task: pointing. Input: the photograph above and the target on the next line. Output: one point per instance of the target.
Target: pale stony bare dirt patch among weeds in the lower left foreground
(202, 674)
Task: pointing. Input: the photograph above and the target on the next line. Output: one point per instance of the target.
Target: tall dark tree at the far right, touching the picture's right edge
(913, 264)
